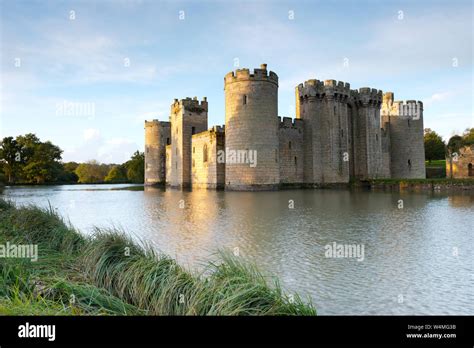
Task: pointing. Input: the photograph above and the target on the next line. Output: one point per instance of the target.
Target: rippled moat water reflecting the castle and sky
(417, 260)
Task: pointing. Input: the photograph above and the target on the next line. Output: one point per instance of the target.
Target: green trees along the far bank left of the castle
(27, 160)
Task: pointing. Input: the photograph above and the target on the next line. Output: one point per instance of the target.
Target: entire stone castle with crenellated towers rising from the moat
(338, 134)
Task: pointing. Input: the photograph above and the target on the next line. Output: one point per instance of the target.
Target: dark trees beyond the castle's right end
(437, 149)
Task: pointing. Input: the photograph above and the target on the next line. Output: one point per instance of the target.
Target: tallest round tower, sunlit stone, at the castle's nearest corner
(251, 130)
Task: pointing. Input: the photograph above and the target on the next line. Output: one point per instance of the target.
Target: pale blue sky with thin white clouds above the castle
(87, 74)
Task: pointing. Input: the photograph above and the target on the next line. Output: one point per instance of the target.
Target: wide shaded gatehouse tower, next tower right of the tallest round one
(323, 107)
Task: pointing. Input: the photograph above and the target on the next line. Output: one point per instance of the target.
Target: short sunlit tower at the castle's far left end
(157, 135)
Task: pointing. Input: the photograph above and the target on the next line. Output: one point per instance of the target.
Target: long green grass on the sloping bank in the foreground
(109, 274)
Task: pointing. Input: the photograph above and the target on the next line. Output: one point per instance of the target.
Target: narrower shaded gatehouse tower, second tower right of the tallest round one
(366, 144)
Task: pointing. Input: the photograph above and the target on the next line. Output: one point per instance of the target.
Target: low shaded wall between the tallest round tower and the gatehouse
(291, 151)
